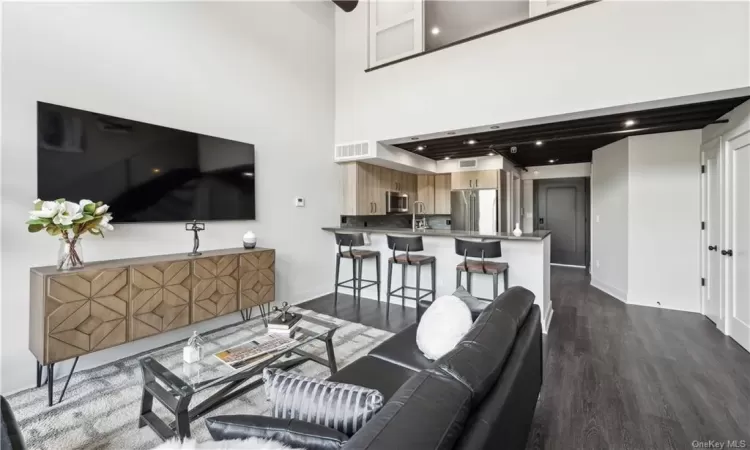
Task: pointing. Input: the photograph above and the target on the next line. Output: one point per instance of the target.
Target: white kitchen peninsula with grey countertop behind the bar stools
(528, 258)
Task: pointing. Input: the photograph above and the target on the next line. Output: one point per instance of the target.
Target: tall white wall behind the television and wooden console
(222, 69)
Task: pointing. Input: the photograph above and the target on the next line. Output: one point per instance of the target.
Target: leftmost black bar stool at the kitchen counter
(357, 256)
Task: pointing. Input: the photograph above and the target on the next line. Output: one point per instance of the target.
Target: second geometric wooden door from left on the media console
(160, 298)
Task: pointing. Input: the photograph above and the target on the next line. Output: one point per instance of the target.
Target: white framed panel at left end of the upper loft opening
(396, 29)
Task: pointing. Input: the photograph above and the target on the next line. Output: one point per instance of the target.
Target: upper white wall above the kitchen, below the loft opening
(552, 66)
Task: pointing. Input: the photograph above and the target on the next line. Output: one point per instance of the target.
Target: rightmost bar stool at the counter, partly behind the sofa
(483, 249)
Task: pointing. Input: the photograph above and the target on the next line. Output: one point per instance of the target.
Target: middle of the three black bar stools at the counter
(408, 244)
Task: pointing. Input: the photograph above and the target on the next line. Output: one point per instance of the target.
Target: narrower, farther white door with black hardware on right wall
(711, 292)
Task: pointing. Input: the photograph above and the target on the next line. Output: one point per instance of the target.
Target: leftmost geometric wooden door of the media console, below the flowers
(85, 312)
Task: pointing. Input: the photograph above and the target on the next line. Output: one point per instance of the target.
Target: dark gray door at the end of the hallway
(562, 208)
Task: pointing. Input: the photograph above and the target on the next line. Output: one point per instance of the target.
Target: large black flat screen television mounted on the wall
(145, 172)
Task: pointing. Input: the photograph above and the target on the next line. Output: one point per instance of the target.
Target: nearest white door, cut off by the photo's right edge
(739, 258)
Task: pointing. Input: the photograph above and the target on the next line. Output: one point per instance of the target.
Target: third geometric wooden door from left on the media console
(214, 287)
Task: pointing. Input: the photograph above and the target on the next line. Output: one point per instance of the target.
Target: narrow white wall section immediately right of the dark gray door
(609, 219)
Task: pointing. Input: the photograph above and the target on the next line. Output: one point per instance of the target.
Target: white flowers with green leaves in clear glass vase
(70, 221)
